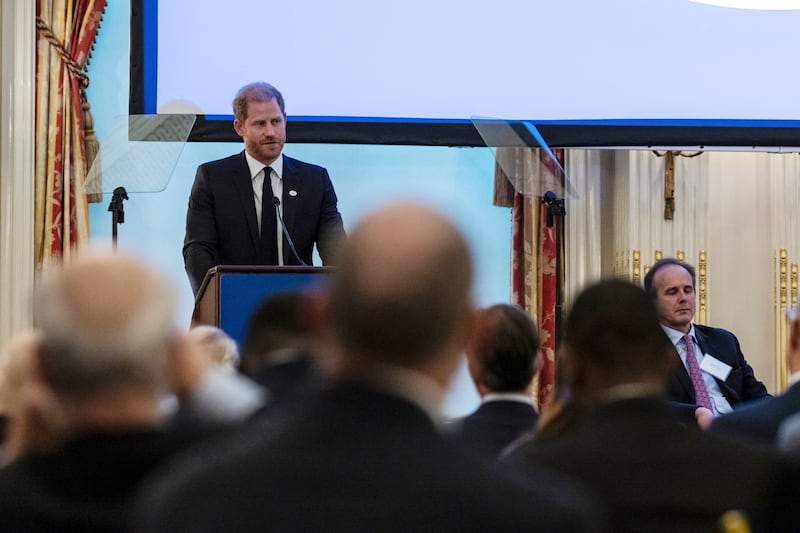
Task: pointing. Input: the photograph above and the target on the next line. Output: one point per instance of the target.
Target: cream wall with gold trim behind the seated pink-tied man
(733, 205)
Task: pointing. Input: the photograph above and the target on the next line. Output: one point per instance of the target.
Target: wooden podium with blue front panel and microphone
(230, 293)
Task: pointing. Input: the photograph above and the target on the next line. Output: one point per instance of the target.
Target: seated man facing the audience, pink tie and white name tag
(713, 375)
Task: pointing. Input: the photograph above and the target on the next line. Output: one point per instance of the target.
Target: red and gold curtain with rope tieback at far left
(66, 30)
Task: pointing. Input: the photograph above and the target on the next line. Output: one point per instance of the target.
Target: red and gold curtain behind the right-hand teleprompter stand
(535, 280)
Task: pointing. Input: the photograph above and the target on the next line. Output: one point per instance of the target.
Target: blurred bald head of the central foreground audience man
(401, 294)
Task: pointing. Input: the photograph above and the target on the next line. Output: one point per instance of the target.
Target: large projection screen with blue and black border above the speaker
(586, 72)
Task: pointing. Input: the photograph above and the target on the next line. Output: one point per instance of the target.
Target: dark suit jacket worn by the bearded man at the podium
(221, 224)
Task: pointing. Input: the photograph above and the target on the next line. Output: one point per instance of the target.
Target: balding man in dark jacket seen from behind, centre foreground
(365, 454)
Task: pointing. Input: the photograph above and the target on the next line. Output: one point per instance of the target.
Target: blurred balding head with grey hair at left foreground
(107, 329)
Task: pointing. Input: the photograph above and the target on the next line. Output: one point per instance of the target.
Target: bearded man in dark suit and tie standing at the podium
(259, 207)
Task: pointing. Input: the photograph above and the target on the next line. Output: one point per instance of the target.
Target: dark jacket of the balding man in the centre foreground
(355, 459)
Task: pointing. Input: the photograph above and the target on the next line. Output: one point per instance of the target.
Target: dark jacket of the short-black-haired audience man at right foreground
(654, 473)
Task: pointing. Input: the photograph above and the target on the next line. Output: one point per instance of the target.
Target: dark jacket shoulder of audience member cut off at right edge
(760, 420)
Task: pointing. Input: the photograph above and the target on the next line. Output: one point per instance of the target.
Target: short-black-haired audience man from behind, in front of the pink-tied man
(625, 444)
